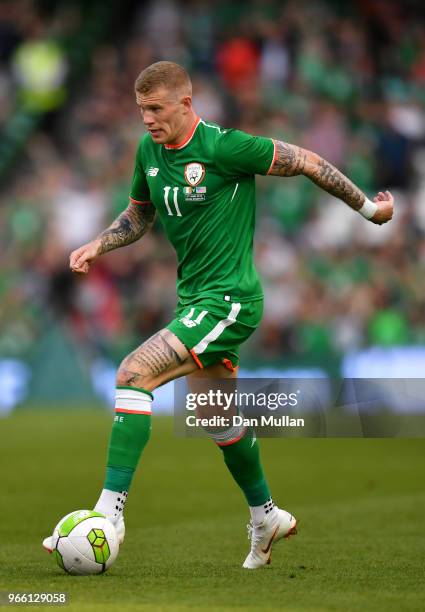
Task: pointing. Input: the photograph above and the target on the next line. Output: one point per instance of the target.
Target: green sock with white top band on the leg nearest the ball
(130, 434)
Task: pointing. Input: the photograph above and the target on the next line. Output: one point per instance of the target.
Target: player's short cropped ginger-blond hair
(163, 74)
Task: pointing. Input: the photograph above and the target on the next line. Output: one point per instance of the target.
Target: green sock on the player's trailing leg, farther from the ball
(243, 460)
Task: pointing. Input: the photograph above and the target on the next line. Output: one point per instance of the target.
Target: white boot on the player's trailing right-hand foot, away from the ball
(280, 524)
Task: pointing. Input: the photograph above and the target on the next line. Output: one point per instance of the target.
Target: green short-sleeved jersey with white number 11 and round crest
(204, 193)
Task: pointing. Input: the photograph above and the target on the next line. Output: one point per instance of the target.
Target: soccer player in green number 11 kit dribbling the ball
(199, 178)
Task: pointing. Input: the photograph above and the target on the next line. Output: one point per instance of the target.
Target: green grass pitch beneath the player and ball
(360, 504)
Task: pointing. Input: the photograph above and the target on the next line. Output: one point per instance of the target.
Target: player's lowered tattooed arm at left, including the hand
(135, 221)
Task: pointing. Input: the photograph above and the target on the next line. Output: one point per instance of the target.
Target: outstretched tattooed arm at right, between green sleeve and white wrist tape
(291, 160)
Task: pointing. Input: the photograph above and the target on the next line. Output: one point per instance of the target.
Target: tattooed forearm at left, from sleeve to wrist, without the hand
(132, 223)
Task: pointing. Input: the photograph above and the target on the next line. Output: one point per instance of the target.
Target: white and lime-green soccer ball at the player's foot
(85, 542)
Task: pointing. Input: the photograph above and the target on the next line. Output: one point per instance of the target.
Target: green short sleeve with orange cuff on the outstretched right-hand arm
(240, 153)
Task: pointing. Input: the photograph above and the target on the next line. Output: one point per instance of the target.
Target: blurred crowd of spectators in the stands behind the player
(346, 80)
